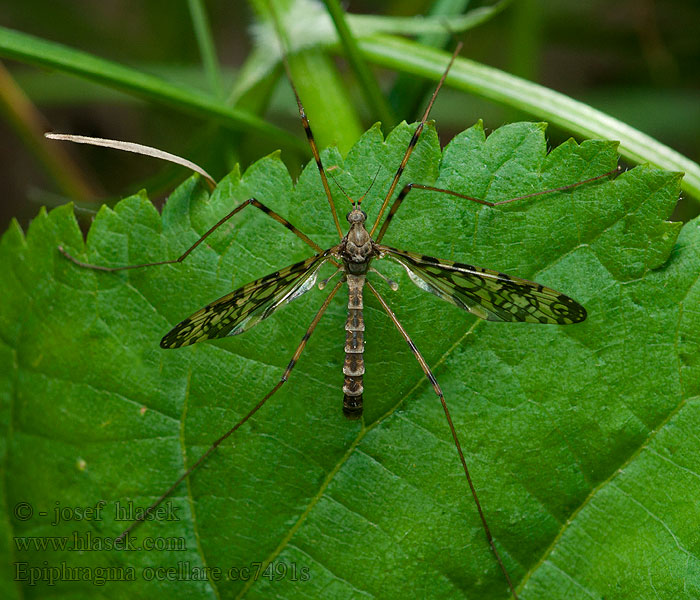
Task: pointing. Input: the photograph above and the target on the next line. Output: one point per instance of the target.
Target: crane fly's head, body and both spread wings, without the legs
(487, 294)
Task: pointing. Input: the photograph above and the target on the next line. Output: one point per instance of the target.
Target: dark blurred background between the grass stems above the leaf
(638, 60)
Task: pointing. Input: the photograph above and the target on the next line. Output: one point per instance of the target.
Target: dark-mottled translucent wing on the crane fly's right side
(488, 294)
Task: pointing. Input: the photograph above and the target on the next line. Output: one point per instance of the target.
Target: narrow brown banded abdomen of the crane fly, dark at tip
(354, 366)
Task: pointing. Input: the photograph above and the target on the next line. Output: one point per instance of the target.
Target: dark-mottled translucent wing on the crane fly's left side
(238, 311)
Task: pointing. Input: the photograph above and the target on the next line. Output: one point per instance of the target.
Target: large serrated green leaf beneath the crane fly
(581, 439)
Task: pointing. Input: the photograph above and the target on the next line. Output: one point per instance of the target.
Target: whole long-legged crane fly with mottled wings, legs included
(488, 294)
